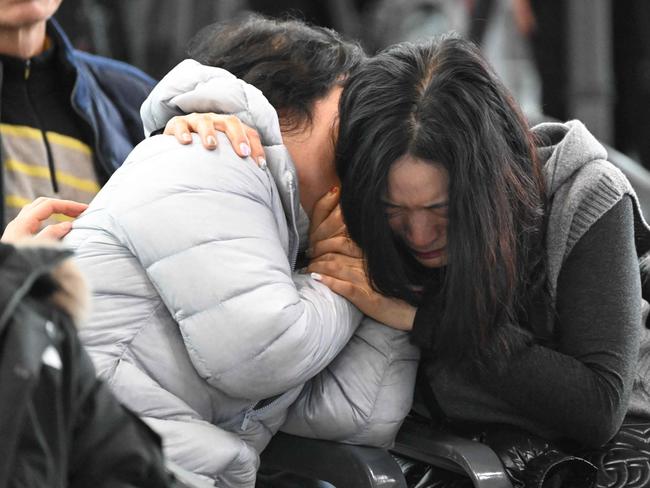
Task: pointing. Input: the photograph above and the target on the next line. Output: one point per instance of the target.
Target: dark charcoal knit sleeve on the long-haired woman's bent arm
(582, 389)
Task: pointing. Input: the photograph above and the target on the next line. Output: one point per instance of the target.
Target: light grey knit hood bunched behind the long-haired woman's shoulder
(563, 149)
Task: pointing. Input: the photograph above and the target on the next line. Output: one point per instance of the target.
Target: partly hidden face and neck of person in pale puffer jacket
(312, 150)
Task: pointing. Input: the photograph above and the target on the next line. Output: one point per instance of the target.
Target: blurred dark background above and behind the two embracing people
(587, 59)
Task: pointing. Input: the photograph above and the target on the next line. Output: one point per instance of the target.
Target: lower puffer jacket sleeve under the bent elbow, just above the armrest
(363, 396)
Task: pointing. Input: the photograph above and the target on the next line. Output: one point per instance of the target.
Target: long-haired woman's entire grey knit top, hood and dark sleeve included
(596, 367)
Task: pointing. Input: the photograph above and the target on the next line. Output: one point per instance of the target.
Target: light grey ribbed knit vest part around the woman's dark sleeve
(582, 191)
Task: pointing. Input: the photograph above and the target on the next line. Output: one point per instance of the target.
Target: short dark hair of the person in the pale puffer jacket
(291, 62)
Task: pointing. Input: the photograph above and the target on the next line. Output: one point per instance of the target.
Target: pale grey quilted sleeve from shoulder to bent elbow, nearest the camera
(210, 232)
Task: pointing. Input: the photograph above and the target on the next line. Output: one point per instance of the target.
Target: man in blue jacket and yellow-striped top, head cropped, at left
(67, 118)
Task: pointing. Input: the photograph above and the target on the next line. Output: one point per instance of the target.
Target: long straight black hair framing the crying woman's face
(441, 102)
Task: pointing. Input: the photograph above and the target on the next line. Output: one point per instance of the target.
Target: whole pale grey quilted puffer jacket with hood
(200, 323)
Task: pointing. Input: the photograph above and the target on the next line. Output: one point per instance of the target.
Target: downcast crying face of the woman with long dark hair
(416, 207)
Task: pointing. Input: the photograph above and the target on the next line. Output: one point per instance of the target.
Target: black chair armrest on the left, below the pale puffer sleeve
(343, 465)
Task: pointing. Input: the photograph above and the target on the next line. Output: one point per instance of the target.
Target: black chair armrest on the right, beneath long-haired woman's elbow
(422, 443)
